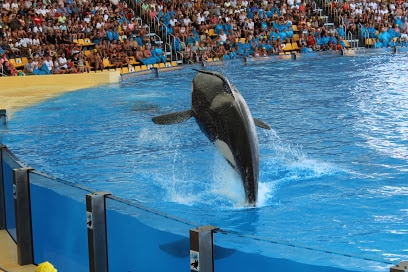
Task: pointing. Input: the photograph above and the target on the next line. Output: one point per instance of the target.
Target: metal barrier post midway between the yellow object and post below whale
(97, 239)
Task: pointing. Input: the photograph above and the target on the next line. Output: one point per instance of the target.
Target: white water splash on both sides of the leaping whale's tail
(218, 186)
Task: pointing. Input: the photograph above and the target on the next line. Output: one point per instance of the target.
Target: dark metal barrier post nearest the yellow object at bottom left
(21, 191)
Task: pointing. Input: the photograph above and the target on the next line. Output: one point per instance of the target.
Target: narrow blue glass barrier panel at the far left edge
(9, 163)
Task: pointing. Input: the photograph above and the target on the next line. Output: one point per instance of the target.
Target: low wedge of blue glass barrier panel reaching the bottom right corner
(237, 252)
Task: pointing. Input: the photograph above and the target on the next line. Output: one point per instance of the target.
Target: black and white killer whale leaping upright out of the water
(224, 117)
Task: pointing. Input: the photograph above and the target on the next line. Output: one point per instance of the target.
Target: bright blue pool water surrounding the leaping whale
(333, 171)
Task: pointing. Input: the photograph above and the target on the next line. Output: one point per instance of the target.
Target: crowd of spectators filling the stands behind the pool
(47, 31)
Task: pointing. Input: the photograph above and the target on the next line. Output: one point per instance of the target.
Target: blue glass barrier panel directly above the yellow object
(59, 223)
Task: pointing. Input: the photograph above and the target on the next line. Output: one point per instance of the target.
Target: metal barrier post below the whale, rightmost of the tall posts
(201, 249)
